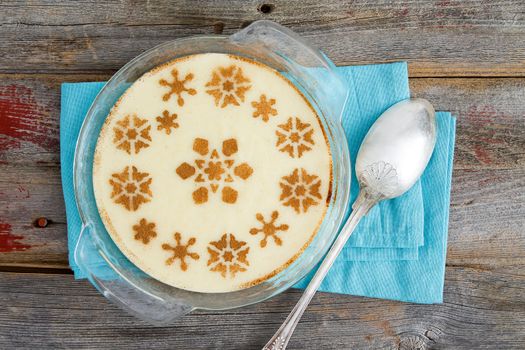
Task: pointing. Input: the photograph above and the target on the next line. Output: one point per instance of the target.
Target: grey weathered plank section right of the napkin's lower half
(487, 218)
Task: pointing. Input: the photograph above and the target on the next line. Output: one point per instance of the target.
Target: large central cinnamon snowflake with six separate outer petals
(214, 170)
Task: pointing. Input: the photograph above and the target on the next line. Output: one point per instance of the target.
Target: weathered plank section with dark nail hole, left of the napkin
(26, 194)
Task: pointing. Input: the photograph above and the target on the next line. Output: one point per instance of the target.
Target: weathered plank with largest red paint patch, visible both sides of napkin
(490, 124)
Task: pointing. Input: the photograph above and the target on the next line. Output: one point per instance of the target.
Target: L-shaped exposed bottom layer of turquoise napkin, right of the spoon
(421, 280)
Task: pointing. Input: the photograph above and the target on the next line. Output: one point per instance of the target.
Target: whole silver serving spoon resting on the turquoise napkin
(392, 157)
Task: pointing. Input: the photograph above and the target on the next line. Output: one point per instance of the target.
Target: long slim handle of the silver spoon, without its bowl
(283, 335)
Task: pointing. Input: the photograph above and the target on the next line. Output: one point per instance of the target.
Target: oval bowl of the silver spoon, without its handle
(397, 148)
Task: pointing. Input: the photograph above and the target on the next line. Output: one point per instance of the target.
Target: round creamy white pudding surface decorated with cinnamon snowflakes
(212, 173)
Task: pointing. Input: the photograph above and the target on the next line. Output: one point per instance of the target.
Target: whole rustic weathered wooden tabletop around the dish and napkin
(467, 57)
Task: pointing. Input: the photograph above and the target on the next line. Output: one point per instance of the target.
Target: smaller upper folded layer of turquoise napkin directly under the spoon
(393, 230)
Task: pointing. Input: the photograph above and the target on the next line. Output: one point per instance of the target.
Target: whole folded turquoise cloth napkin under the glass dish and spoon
(398, 250)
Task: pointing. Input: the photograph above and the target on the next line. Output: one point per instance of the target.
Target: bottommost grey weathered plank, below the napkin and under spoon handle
(482, 309)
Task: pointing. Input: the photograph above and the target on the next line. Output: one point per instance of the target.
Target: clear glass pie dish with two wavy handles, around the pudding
(97, 255)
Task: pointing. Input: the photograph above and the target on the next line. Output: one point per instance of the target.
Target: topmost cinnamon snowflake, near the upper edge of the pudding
(228, 86)
